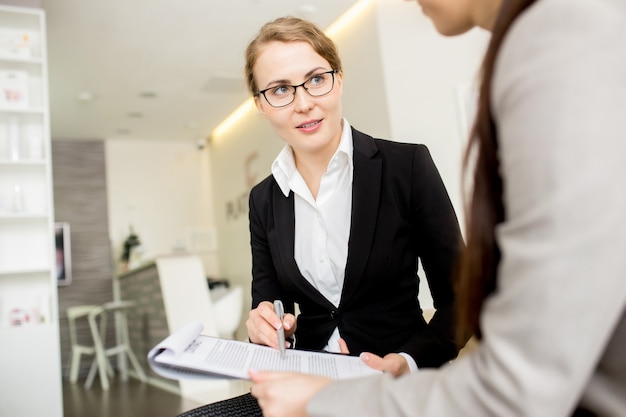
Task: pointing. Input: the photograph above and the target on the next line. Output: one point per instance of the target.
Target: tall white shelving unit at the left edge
(30, 380)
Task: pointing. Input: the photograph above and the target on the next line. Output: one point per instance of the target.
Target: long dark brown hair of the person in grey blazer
(480, 259)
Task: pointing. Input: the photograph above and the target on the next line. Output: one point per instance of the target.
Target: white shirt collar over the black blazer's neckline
(284, 166)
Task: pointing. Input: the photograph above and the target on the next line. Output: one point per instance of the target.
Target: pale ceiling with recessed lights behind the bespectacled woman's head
(155, 69)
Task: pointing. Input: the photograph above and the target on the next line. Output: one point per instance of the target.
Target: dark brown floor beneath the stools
(124, 399)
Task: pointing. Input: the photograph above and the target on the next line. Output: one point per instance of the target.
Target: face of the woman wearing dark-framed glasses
(309, 124)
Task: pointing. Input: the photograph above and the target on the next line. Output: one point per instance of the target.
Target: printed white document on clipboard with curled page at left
(187, 354)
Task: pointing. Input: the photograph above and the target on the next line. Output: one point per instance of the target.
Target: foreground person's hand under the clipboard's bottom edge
(285, 394)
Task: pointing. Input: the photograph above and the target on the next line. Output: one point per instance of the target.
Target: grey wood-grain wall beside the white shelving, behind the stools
(80, 198)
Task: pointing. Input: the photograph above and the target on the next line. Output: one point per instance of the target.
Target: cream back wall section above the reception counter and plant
(163, 189)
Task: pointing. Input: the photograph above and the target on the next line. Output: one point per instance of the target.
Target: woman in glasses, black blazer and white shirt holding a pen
(339, 226)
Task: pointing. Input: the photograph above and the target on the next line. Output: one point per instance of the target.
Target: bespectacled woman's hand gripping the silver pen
(262, 324)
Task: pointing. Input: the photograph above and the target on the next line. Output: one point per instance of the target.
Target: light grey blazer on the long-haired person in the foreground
(555, 332)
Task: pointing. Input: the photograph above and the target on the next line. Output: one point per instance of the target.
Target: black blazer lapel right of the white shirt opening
(365, 202)
